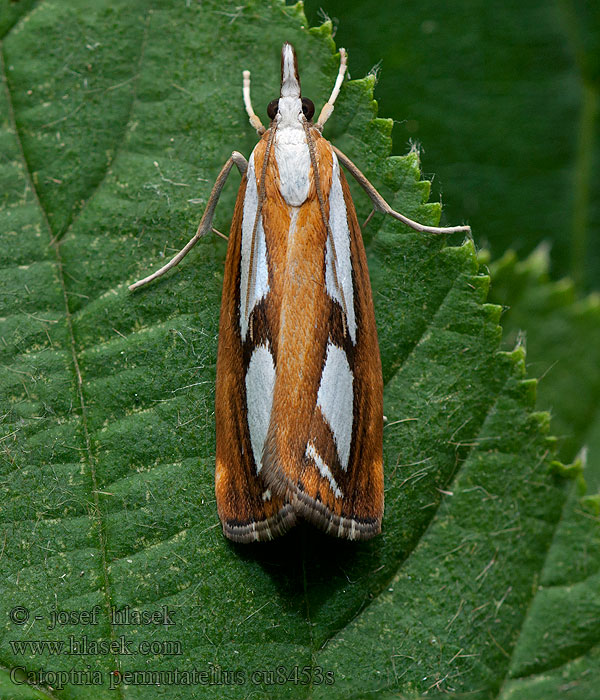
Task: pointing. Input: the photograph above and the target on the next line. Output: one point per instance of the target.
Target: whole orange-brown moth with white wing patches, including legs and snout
(299, 393)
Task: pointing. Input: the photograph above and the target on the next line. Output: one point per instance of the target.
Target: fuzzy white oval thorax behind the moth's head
(293, 161)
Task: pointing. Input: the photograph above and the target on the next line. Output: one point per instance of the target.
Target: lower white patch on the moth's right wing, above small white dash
(336, 400)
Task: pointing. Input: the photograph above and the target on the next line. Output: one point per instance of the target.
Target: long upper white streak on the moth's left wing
(260, 287)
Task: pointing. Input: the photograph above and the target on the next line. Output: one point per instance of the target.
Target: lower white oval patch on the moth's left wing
(260, 380)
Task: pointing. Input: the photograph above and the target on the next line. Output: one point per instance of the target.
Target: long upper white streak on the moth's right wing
(338, 222)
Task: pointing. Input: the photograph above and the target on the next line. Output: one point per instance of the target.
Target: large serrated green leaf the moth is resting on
(112, 129)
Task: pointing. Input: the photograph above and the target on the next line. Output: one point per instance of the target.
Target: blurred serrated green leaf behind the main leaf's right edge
(563, 347)
